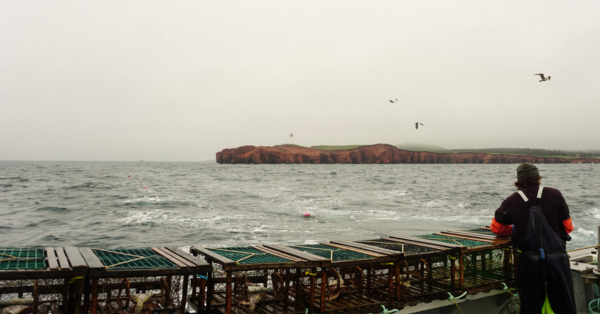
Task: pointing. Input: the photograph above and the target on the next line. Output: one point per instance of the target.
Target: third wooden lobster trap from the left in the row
(257, 279)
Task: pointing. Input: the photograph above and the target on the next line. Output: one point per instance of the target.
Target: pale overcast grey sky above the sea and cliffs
(181, 80)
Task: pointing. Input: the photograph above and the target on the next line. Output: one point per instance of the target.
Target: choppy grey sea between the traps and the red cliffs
(106, 204)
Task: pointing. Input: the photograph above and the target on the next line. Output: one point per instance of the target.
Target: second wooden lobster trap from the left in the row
(146, 280)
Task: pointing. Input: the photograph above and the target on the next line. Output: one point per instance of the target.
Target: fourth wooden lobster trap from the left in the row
(353, 277)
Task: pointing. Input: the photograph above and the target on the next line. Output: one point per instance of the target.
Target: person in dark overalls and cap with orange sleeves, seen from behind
(538, 221)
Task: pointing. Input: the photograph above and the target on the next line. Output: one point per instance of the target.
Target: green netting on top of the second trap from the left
(123, 259)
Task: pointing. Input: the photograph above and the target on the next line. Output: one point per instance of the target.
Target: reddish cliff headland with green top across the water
(374, 154)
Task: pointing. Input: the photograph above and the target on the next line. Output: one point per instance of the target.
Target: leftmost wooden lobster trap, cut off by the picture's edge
(41, 280)
